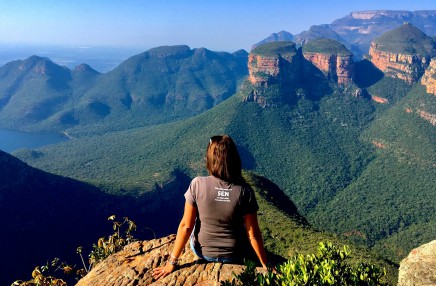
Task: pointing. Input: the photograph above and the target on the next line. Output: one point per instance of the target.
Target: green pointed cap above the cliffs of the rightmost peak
(407, 39)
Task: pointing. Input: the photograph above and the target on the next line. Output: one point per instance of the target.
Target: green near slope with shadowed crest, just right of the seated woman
(293, 236)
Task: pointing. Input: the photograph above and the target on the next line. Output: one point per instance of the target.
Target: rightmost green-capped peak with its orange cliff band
(404, 52)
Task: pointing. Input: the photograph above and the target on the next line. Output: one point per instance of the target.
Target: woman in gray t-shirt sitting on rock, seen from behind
(220, 215)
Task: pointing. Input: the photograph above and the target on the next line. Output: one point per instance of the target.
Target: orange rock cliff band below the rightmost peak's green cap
(406, 67)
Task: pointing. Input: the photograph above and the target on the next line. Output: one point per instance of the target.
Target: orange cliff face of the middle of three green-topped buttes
(340, 68)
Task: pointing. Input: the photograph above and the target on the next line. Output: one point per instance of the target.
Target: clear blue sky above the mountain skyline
(226, 25)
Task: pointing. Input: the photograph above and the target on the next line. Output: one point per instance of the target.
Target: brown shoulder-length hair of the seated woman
(222, 159)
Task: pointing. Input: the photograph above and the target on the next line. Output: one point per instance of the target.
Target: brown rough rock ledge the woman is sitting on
(134, 266)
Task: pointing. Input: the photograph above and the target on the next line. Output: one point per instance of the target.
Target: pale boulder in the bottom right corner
(419, 267)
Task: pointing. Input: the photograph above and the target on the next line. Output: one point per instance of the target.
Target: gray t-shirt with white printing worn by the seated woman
(219, 228)
